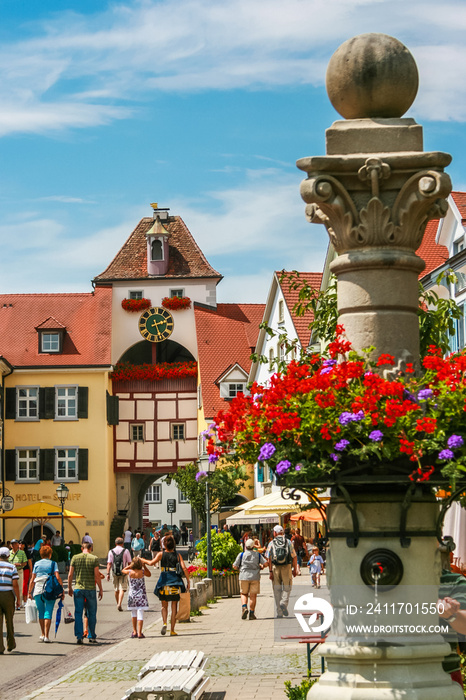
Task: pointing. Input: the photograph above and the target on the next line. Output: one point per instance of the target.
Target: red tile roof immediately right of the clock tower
(225, 336)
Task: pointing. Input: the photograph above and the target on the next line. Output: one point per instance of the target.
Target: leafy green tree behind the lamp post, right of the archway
(224, 484)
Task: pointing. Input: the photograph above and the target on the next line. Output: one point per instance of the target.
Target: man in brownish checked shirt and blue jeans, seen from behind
(86, 568)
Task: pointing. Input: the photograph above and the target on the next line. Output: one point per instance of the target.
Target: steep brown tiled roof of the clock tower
(185, 257)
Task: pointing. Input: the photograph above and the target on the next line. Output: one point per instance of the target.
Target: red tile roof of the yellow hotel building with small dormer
(87, 318)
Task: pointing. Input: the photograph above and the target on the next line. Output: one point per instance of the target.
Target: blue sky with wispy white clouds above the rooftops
(202, 106)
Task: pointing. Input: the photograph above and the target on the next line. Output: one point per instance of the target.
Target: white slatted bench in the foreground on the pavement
(171, 675)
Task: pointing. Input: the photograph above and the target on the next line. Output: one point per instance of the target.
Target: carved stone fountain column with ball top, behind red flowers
(375, 191)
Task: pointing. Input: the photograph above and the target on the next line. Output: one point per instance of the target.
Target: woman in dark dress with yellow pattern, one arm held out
(170, 583)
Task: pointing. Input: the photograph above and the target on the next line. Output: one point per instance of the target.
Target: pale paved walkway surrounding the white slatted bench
(244, 659)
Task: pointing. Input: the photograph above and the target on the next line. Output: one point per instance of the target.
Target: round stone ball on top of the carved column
(372, 75)
